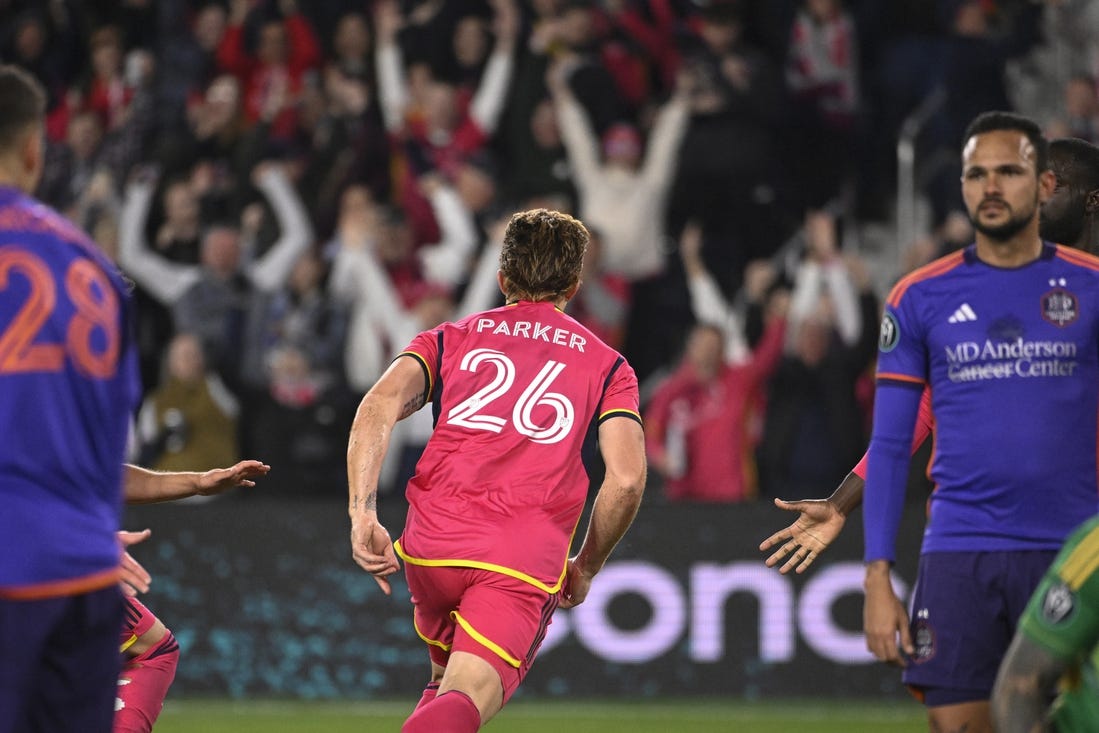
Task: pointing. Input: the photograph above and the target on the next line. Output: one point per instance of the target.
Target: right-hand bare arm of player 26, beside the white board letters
(623, 445)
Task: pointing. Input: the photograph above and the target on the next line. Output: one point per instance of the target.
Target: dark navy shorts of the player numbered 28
(60, 663)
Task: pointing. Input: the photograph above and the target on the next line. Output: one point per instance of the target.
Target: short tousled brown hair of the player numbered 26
(542, 256)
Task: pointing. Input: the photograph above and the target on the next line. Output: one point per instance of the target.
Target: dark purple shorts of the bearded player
(964, 614)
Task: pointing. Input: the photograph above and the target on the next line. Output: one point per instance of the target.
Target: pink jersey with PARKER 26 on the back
(518, 395)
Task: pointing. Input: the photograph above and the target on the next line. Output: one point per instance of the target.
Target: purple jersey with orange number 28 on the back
(69, 385)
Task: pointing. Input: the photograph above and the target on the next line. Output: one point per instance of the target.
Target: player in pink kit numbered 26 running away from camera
(523, 397)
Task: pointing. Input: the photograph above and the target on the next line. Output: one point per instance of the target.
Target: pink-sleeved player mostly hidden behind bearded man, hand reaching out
(1070, 217)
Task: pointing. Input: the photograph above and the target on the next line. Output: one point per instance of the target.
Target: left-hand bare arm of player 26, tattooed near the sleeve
(398, 394)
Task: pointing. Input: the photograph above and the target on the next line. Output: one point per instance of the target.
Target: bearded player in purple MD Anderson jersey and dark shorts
(1006, 336)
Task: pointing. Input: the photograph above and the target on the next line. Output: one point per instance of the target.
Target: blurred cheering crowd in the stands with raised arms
(298, 188)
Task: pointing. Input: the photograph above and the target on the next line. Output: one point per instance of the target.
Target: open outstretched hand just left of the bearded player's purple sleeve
(819, 524)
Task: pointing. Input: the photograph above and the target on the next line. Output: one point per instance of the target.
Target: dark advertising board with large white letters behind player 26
(265, 601)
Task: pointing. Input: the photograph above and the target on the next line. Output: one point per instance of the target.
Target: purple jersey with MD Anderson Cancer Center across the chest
(1012, 358)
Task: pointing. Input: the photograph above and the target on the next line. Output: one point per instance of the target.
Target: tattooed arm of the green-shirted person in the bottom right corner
(1022, 693)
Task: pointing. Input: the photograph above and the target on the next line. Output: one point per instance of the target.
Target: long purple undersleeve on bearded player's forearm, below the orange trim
(896, 406)
